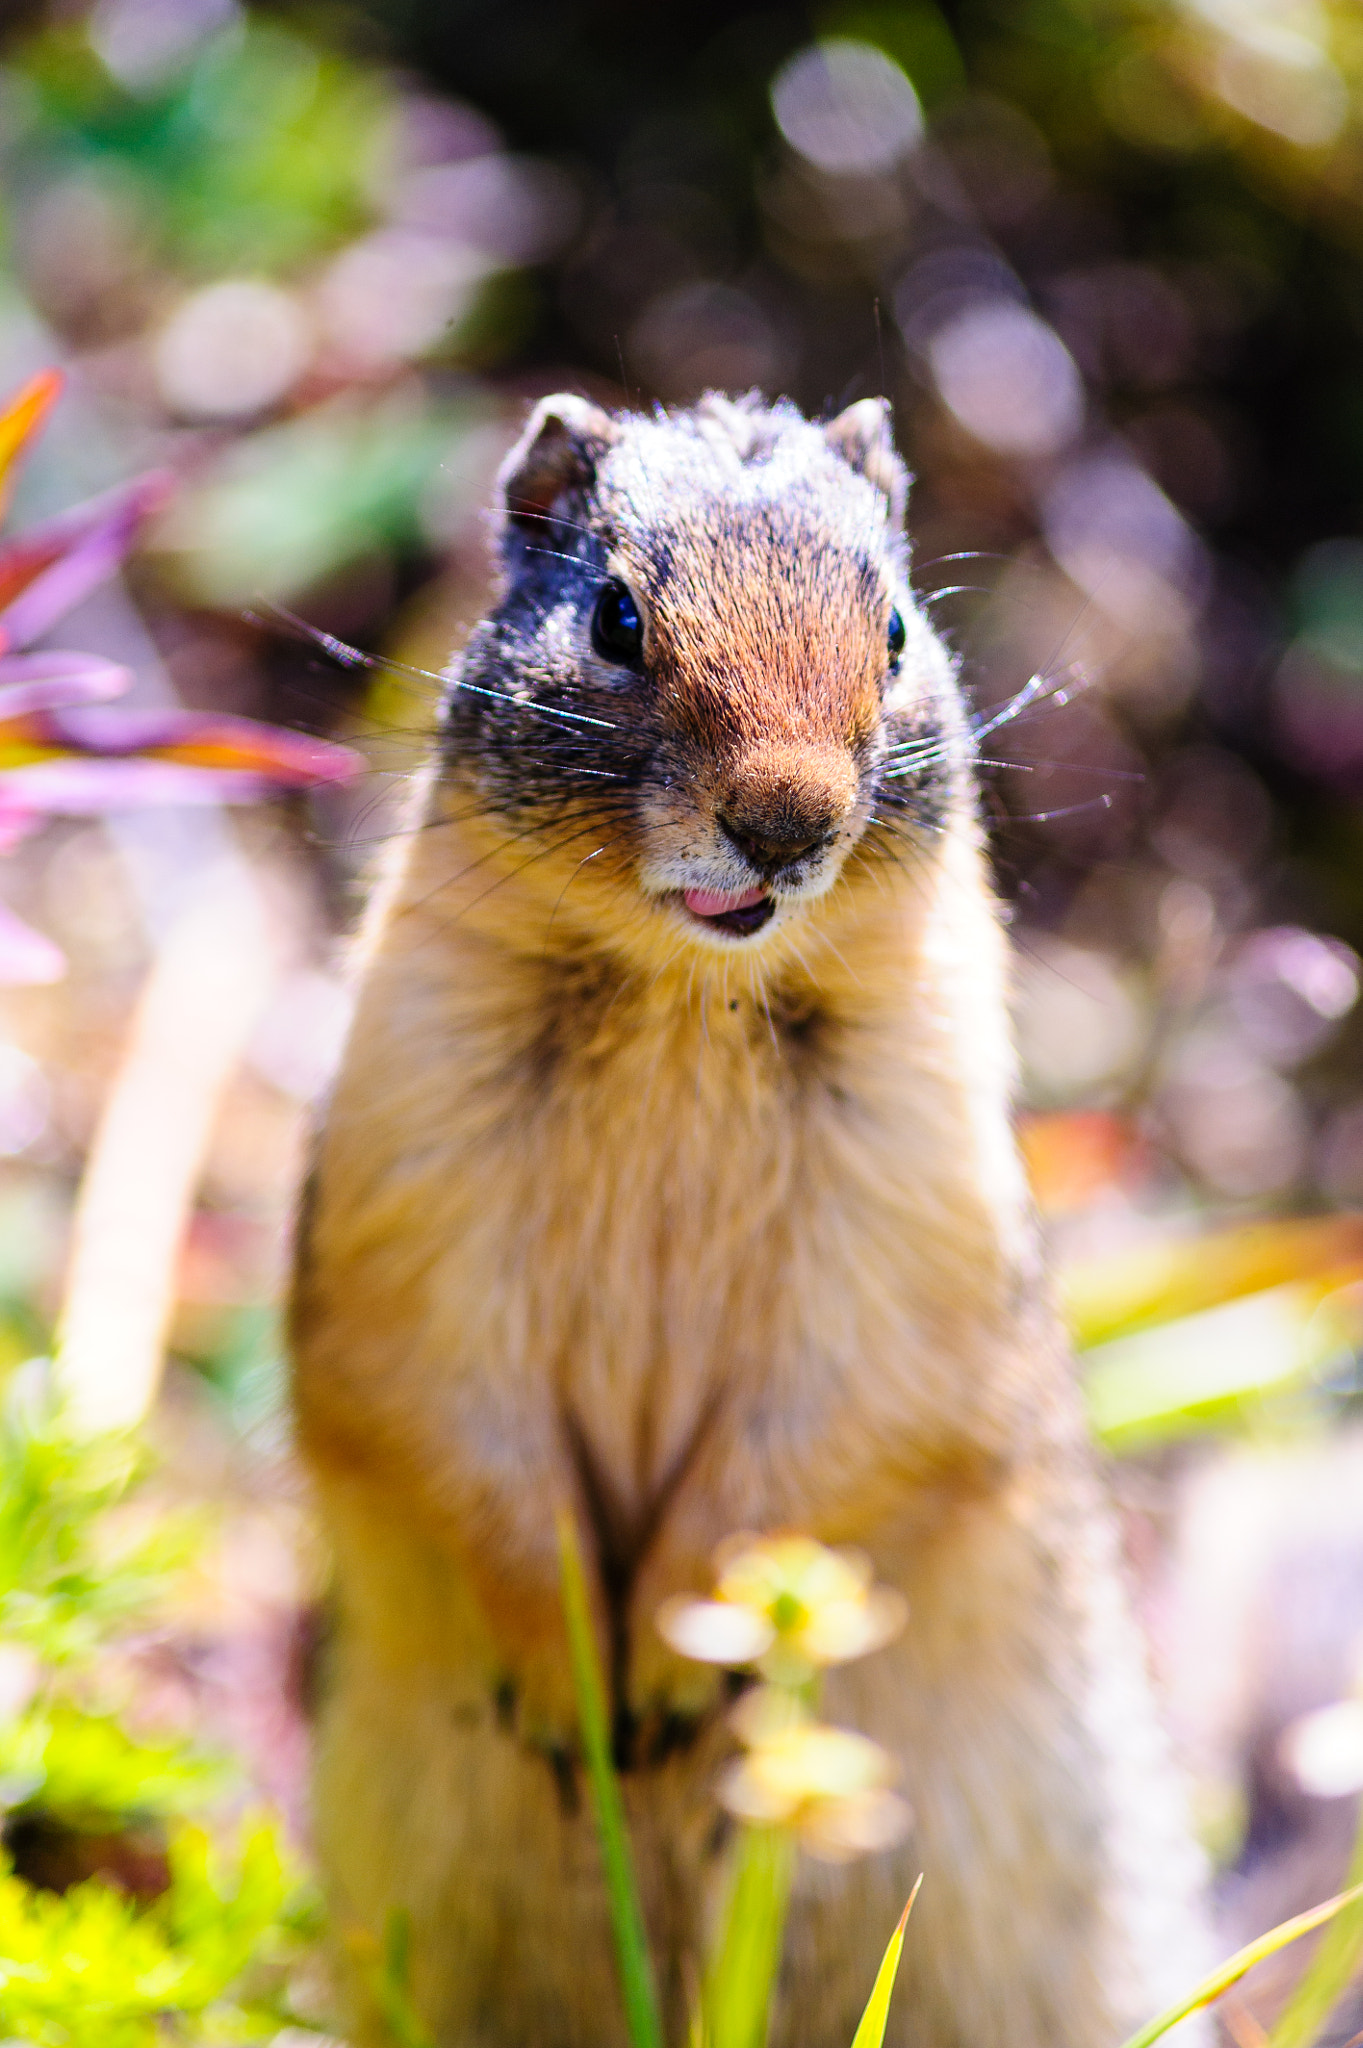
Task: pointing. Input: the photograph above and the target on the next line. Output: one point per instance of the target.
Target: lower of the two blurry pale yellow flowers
(828, 1787)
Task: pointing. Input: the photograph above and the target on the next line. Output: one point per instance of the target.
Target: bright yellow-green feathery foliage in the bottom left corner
(91, 1967)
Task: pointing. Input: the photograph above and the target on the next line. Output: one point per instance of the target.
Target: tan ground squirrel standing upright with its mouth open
(670, 1175)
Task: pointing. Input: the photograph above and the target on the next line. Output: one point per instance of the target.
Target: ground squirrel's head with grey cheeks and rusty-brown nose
(705, 675)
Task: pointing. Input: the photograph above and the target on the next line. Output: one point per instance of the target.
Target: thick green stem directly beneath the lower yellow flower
(738, 1998)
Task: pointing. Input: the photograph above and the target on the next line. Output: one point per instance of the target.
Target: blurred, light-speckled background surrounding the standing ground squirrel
(1106, 261)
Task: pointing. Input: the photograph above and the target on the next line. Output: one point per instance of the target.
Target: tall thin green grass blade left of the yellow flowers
(642, 2010)
